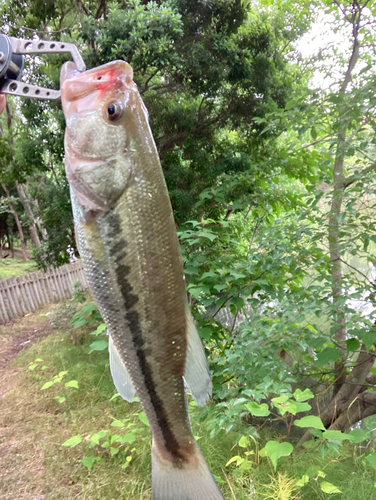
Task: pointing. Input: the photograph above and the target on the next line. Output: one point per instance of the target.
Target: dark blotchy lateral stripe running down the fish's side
(133, 320)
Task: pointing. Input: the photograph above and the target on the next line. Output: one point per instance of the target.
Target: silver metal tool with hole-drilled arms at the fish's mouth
(12, 52)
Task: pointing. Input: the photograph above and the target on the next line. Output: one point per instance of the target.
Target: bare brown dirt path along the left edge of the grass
(20, 457)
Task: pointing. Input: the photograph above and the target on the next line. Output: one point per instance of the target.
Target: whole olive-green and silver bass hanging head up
(127, 240)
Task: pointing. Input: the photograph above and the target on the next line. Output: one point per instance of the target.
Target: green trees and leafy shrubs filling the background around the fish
(269, 158)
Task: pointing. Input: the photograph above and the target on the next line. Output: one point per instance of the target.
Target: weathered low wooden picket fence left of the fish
(19, 296)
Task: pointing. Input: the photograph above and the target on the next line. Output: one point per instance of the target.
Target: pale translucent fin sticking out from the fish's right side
(197, 375)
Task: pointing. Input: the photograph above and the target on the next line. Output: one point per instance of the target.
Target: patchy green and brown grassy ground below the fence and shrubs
(34, 425)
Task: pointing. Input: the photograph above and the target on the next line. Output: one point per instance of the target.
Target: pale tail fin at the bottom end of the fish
(191, 483)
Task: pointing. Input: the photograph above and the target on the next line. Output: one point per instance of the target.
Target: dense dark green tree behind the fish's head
(204, 69)
